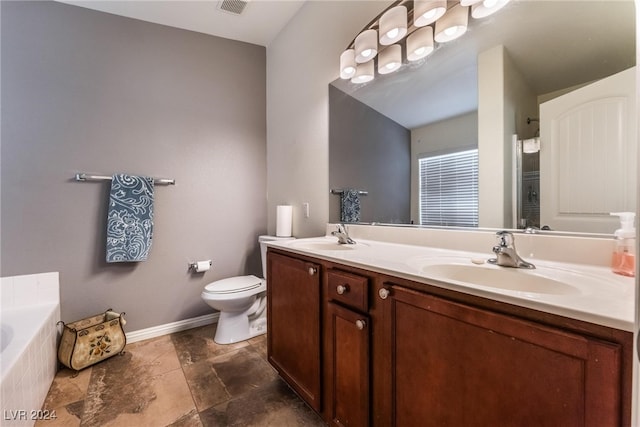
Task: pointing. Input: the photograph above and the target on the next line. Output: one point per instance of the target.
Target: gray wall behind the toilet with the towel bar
(85, 91)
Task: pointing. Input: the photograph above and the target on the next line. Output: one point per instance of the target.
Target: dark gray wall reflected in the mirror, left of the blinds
(368, 151)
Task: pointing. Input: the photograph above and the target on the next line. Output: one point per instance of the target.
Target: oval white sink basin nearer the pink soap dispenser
(543, 280)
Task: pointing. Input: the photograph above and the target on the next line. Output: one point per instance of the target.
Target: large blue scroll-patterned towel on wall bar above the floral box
(130, 218)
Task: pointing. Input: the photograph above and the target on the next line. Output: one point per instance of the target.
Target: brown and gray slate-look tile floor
(183, 379)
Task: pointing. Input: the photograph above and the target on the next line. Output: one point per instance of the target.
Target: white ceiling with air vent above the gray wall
(259, 23)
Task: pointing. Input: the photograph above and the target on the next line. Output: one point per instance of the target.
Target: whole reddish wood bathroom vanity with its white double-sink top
(366, 342)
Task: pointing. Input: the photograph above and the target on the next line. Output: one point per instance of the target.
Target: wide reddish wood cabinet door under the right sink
(456, 365)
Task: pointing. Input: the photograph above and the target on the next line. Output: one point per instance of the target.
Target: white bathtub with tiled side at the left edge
(29, 310)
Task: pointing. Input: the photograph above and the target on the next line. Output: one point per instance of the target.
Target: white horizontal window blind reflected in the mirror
(449, 189)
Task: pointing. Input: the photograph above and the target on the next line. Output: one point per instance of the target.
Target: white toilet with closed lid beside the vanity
(241, 301)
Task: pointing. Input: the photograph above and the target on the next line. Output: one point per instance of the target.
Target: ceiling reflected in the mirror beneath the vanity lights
(555, 44)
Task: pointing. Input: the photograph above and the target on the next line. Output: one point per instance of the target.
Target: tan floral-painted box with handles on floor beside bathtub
(91, 340)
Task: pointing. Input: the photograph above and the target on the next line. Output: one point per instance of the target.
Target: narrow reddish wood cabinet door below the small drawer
(347, 373)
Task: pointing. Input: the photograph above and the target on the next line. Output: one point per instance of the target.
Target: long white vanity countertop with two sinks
(595, 294)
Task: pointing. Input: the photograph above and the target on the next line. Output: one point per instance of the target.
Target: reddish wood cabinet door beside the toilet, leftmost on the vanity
(293, 316)
